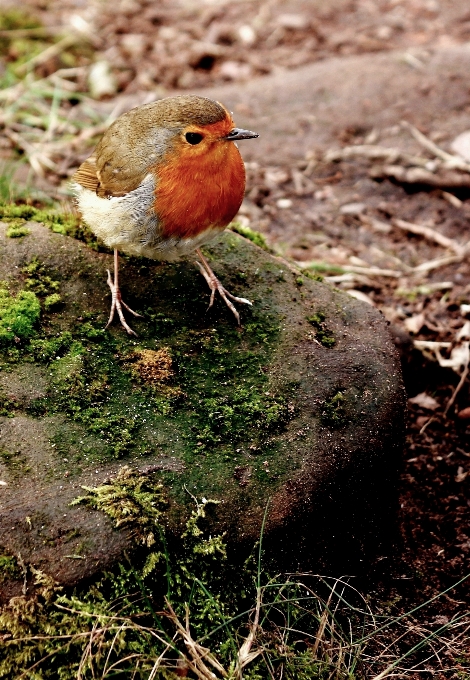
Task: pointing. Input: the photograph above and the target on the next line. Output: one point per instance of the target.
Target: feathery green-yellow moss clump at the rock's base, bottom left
(51, 626)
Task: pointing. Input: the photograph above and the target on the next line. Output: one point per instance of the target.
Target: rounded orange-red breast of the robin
(196, 193)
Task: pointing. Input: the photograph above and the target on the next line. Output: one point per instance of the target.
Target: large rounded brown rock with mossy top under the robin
(302, 406)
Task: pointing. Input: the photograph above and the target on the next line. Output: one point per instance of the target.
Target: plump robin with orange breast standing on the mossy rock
(164, 179)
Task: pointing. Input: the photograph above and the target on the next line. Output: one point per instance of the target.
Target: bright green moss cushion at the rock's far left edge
(18, 316)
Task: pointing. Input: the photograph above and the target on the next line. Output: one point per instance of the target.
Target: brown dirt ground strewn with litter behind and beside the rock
(316, 210)
